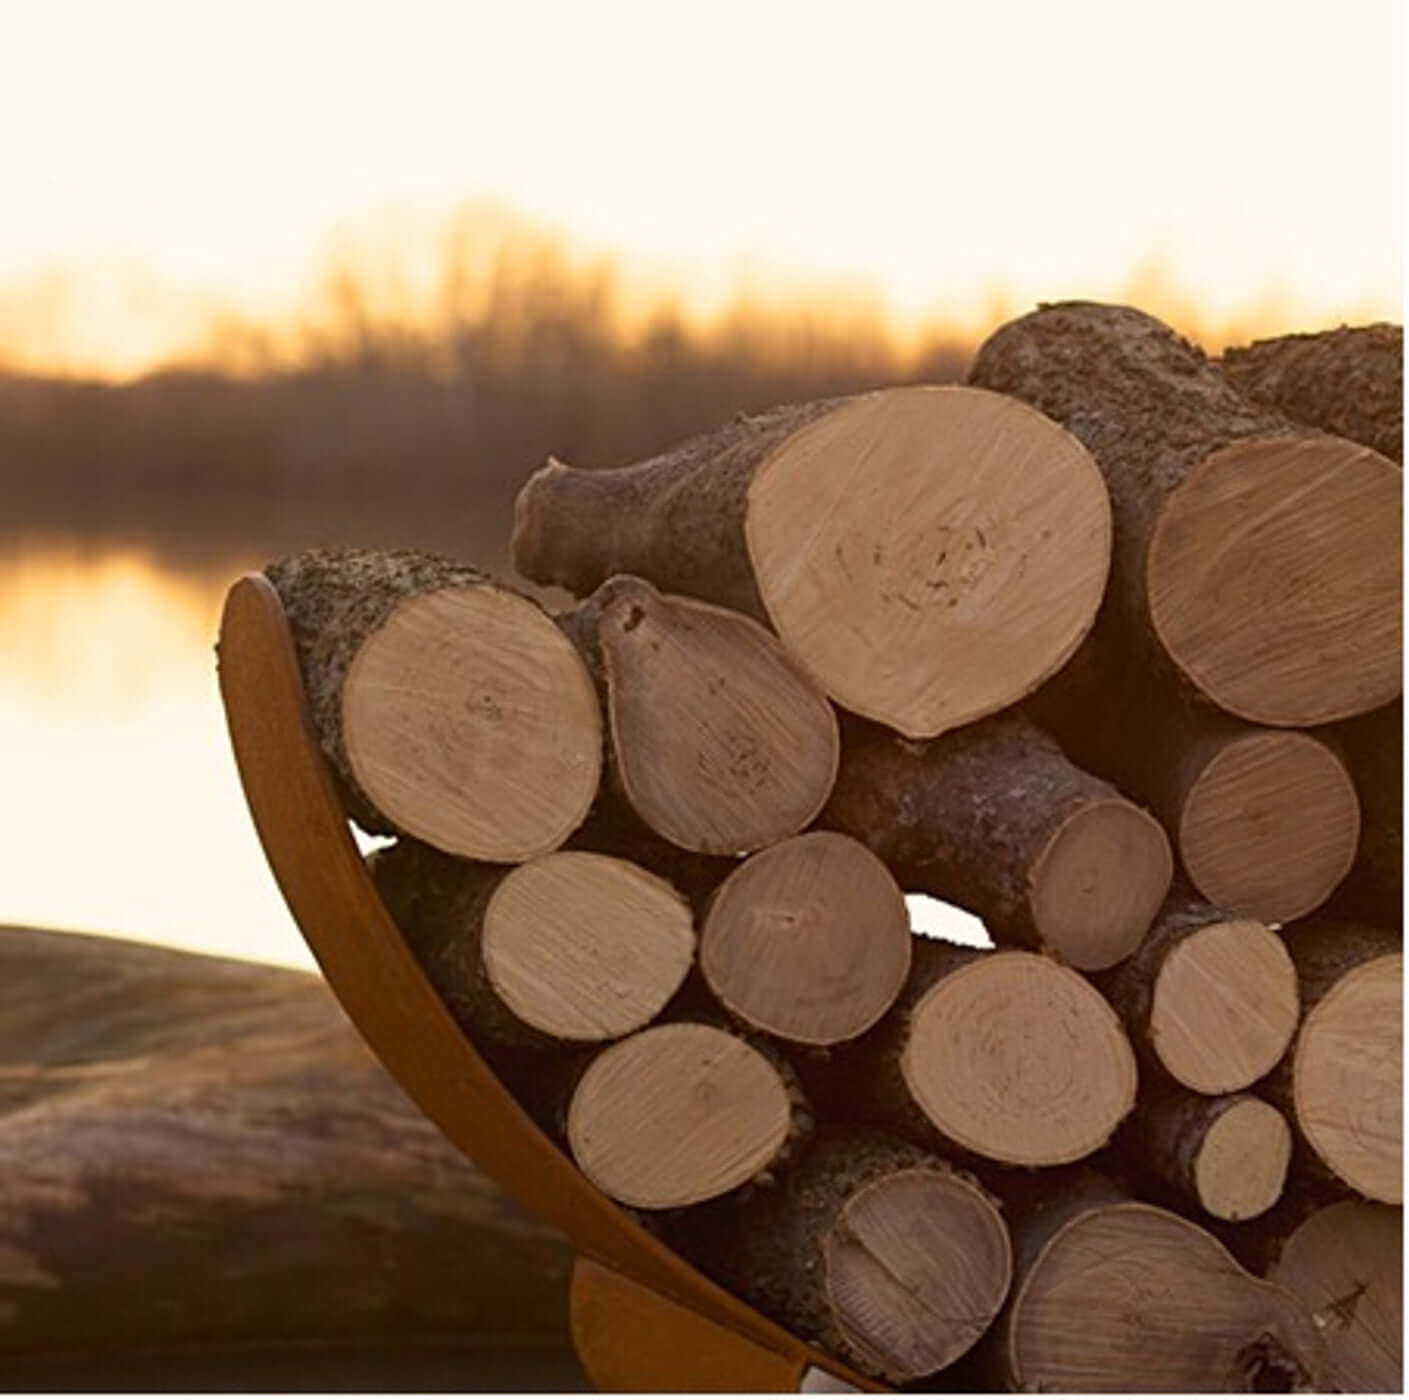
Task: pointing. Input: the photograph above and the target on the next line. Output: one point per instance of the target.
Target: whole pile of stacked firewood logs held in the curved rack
(1103, 647)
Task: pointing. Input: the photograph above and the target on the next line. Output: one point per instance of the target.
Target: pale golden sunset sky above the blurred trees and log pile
(1234, 164)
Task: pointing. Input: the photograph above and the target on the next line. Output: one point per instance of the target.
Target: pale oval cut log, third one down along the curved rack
(683, 1113)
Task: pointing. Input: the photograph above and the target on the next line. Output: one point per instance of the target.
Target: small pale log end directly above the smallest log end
(1225, 1006)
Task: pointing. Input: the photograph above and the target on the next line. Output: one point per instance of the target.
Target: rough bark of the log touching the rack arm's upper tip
(335, 601)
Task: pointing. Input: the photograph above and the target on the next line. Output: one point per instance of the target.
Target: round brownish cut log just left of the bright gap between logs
(808, 940)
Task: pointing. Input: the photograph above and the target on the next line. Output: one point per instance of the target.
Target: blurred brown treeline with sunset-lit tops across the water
(380, 433)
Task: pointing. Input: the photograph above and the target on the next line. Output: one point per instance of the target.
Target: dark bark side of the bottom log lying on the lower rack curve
(767, 1247)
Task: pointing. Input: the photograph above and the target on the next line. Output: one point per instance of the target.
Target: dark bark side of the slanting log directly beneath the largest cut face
(966, 816)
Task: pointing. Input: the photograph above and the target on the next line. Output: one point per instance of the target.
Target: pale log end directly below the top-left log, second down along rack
(585, 947)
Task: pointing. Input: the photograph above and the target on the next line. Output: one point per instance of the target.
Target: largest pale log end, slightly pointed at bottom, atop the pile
(893, 535)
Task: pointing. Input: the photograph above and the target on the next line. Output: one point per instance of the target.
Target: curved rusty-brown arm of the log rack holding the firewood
(375, 977)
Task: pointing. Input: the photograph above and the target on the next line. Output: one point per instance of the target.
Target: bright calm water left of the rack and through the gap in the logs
(123, 812)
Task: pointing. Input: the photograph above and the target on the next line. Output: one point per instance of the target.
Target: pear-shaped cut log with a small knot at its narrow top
(718, 742)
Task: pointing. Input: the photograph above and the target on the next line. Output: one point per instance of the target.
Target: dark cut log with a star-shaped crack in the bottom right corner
(1345, 1263)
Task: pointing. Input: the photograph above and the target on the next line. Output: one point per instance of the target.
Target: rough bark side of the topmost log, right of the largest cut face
(1148, 404)
